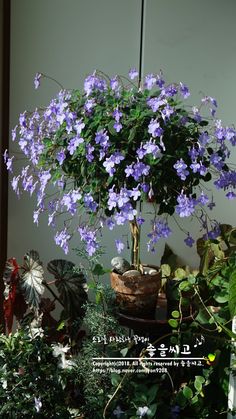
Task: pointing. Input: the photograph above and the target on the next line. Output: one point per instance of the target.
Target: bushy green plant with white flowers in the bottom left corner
(32, 384)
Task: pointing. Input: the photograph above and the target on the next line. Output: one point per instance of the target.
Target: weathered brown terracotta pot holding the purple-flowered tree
(136, 295)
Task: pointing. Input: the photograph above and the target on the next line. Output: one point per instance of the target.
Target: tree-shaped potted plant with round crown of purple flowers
(113, 146)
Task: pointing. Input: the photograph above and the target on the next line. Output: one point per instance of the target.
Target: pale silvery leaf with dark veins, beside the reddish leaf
(32, 279)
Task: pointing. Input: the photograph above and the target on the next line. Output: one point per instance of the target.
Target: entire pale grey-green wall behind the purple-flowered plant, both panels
(190, 41)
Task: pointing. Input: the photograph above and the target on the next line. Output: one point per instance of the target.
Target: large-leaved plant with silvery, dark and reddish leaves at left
(25, 285)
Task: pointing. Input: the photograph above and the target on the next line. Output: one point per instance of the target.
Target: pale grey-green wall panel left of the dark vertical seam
(65, 39)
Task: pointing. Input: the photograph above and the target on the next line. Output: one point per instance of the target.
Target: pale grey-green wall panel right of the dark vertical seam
(194, 42)
